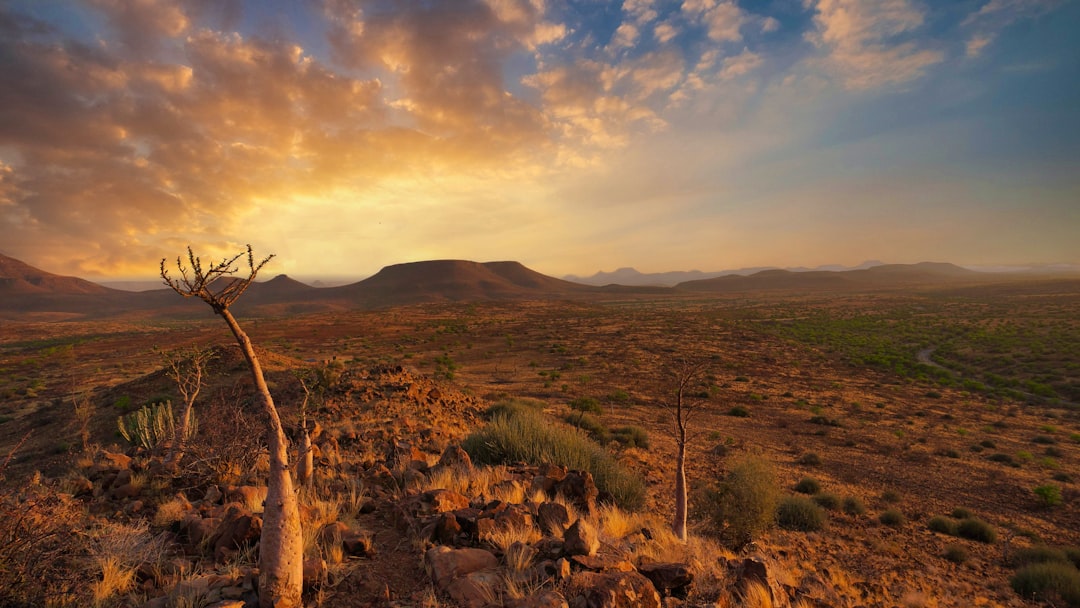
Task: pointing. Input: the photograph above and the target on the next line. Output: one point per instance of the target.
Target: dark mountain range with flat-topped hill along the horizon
(26, 291)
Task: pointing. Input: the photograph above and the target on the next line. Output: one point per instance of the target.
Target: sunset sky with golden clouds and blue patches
(570, 136)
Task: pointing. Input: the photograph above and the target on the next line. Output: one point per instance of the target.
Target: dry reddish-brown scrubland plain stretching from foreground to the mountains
(934, 438)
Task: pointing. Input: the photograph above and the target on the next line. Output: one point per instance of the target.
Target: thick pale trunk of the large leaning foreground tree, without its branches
(281, 546)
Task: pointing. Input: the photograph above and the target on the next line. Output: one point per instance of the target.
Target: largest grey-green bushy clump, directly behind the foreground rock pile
(528, 436)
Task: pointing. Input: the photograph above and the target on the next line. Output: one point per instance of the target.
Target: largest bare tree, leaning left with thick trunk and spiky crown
(281, 546)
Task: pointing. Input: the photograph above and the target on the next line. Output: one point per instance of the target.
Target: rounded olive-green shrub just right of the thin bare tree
(744, 505)
